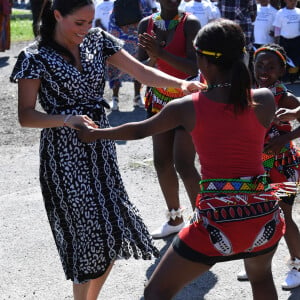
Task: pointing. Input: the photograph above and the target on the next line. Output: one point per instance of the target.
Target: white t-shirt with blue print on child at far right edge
(288, 20)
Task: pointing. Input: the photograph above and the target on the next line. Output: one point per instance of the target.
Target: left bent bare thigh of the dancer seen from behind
(171, 275)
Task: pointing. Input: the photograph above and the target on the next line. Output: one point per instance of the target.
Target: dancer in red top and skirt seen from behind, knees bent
(237, 214)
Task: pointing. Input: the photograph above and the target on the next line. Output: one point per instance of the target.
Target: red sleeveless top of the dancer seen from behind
(228, 145)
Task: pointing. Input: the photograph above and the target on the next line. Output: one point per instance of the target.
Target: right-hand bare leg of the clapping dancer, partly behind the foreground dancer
(184, 154)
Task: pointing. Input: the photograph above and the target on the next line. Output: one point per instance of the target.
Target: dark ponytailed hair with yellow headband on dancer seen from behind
(223, 43)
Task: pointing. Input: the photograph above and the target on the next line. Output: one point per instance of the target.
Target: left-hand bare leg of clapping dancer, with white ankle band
(166, 173)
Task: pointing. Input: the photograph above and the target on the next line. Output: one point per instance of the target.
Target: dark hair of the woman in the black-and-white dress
(47, 22)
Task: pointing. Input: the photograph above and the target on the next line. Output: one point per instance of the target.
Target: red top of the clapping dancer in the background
(175, 47)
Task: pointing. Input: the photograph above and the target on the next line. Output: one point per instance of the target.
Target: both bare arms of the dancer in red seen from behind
(179, 112)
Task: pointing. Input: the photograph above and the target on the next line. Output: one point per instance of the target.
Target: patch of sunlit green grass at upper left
(21, 28)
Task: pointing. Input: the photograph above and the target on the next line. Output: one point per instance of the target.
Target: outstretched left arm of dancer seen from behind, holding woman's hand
(179, 112)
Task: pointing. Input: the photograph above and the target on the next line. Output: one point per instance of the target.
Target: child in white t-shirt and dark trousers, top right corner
(287, 34)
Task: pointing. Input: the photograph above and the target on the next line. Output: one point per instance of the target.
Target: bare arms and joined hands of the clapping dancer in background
(153, 47)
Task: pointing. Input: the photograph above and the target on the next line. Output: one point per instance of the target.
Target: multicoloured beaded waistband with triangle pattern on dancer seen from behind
(234, 185)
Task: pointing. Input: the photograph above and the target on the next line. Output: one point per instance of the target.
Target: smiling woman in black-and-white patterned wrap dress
(91, 218)
